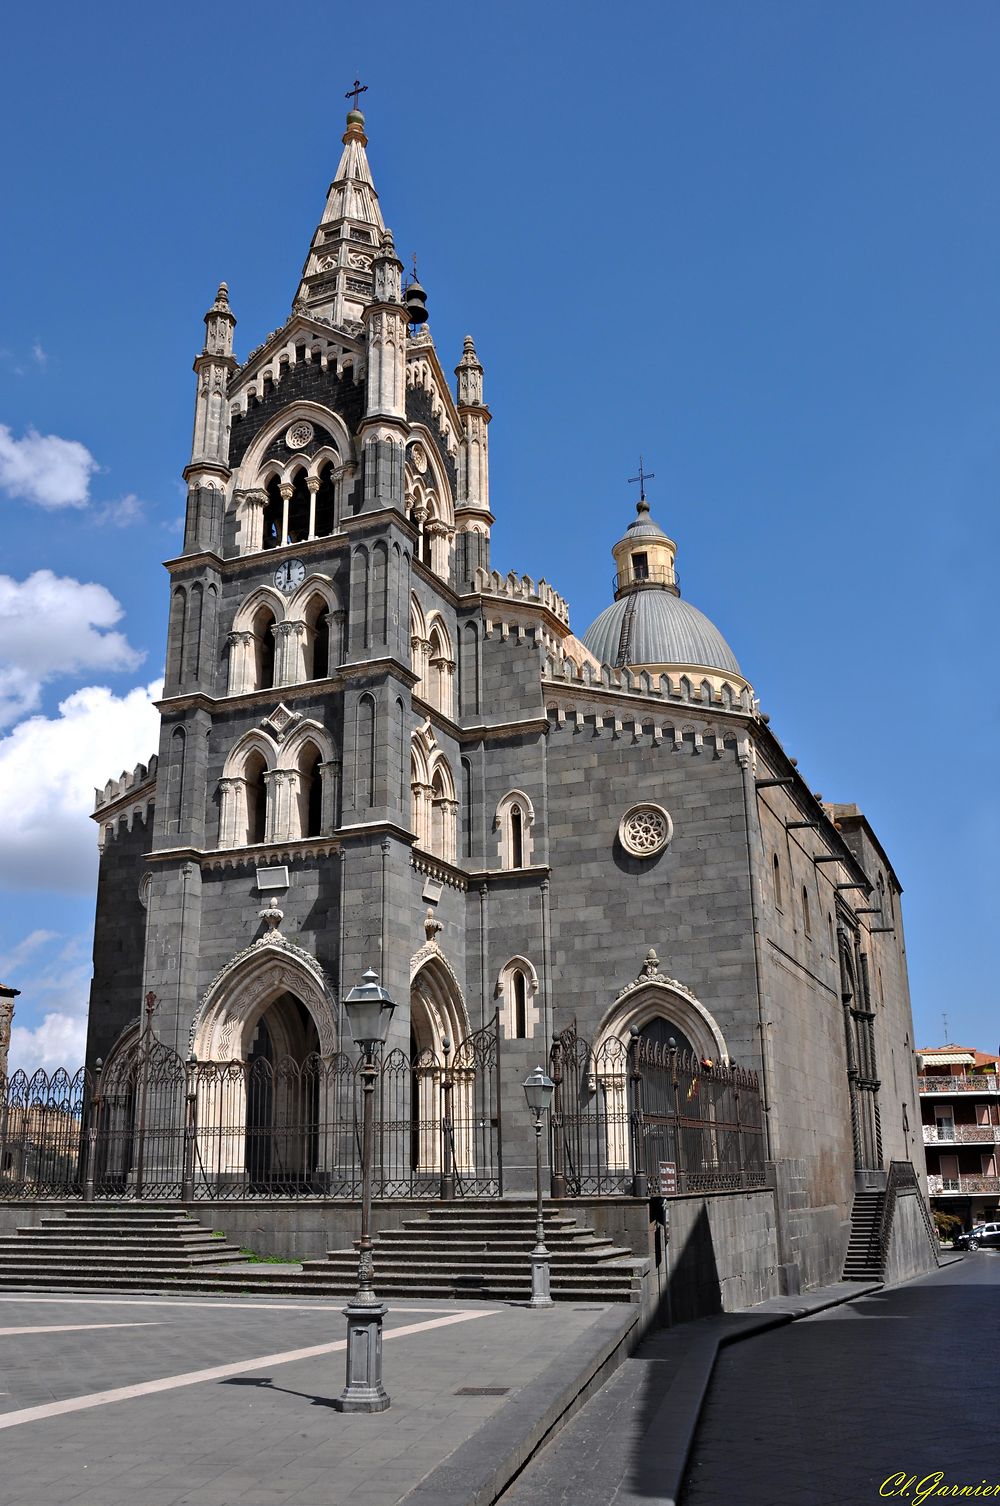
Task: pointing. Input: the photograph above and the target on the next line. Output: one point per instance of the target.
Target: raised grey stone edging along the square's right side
(483, 1468)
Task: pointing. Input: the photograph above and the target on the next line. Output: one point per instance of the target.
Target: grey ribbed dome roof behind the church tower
(663, 630)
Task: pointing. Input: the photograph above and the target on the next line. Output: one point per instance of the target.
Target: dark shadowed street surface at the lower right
(906, 1382)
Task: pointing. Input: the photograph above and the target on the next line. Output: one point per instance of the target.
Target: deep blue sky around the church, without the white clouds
(758, 243)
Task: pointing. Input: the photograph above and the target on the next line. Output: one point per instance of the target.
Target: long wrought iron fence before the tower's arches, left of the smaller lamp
(157, 1127)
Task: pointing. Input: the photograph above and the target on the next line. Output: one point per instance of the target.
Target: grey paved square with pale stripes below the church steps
(144, 1401)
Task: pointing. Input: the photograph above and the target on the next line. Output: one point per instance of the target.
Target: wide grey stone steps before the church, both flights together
(475, 1251)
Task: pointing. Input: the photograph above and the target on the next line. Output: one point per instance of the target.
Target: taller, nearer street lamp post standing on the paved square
(370, 1008)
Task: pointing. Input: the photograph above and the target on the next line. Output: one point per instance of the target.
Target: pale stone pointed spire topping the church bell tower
(337, 281)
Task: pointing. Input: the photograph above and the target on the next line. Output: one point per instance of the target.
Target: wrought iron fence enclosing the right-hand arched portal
(647, 1118)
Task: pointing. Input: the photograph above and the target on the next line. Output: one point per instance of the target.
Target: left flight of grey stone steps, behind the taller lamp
(99, 1246)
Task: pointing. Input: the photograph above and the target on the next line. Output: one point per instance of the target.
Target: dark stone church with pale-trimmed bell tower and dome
(380, 751)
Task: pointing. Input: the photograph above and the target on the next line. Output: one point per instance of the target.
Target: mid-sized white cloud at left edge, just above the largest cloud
(55, 626)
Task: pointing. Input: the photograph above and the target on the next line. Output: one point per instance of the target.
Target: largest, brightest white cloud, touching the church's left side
(49, 772)
